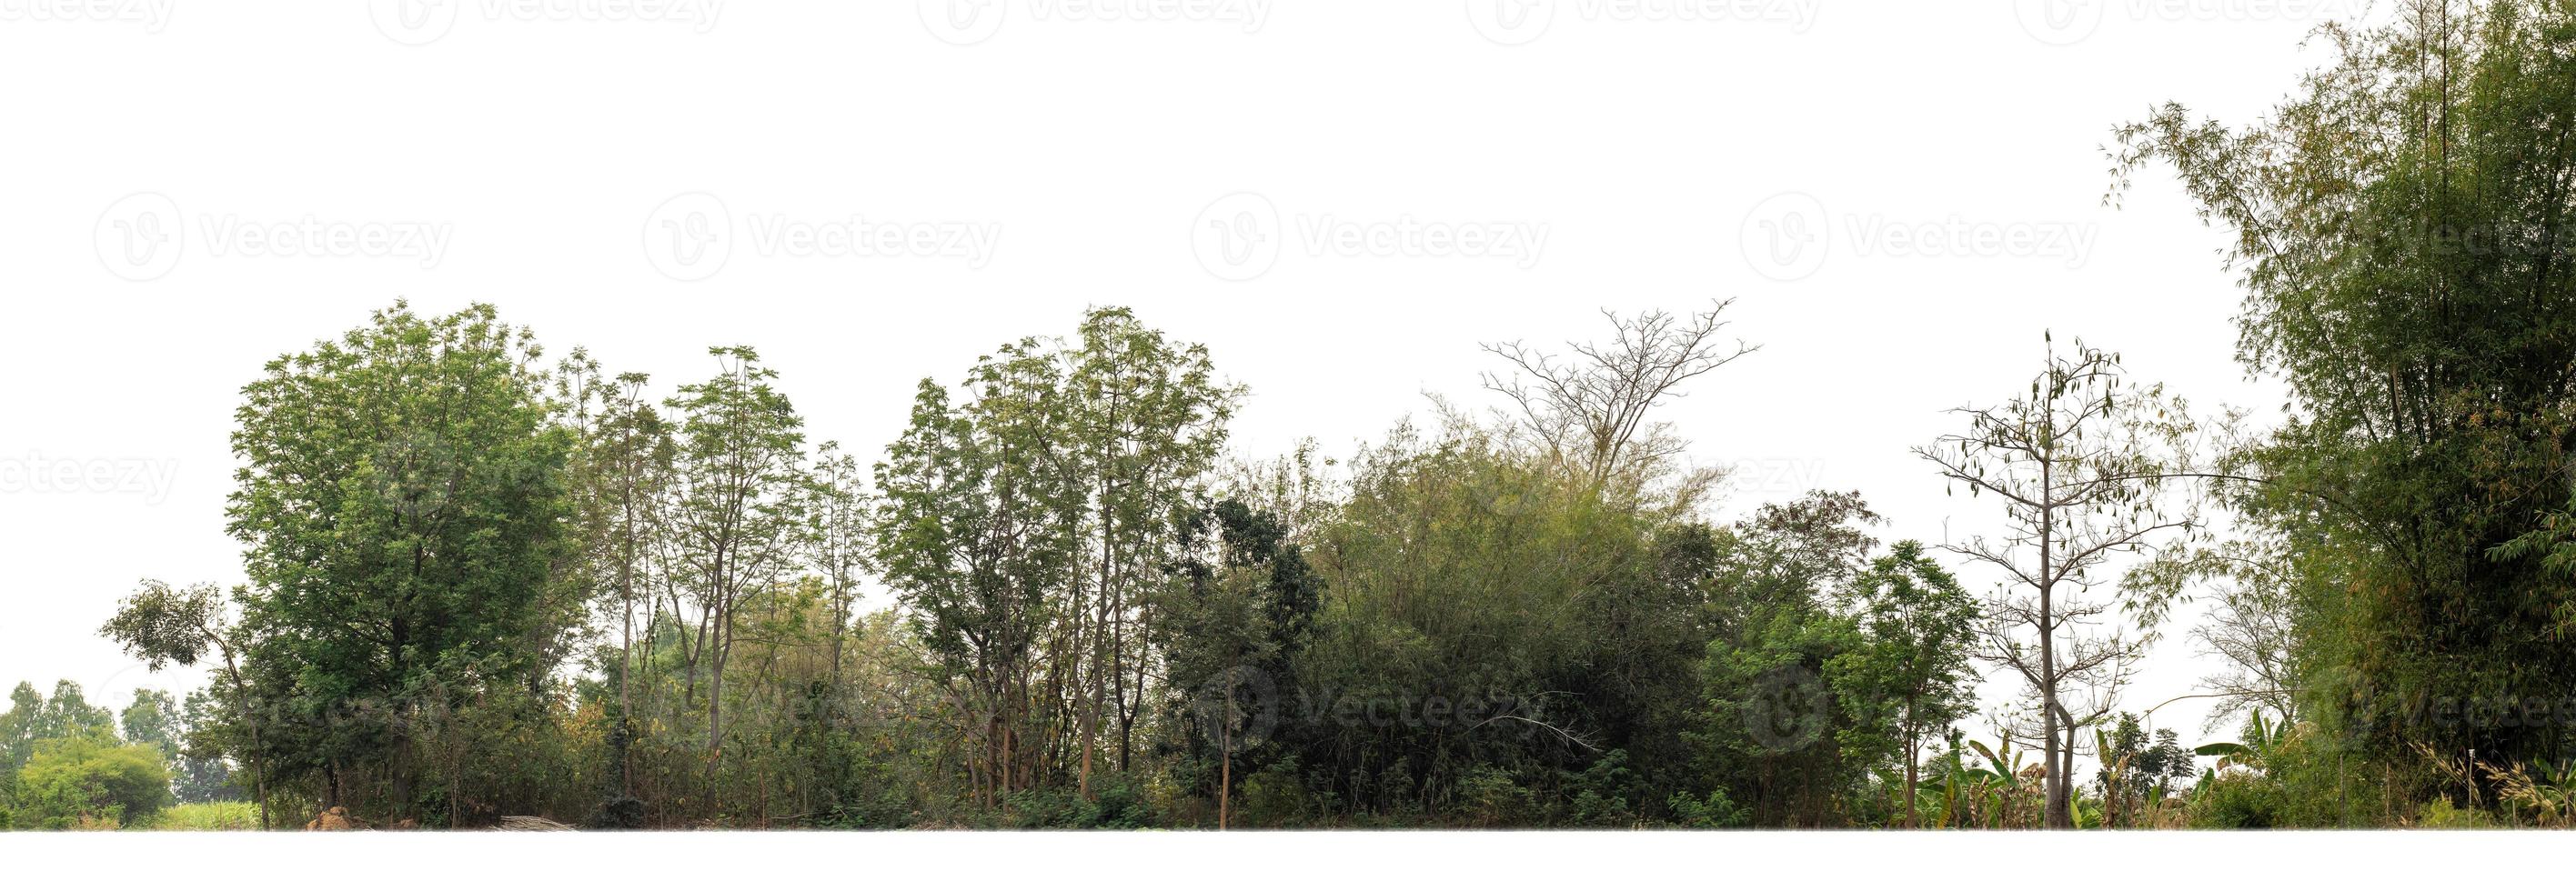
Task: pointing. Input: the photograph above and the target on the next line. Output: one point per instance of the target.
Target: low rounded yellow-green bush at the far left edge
(91, 784)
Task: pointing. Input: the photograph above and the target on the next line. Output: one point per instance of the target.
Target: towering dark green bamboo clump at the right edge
(2402, 228)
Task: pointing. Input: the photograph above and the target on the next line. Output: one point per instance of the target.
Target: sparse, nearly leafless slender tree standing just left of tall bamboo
(2080, 465)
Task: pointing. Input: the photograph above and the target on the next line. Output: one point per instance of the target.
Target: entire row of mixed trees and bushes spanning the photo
(488, 583)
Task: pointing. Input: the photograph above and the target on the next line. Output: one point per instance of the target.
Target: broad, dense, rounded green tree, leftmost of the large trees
(403, 511)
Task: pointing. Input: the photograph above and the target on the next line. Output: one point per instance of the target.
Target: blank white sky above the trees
(1341, 200)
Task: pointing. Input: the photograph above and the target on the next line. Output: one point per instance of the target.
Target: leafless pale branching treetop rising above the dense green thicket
(1591, 411)
